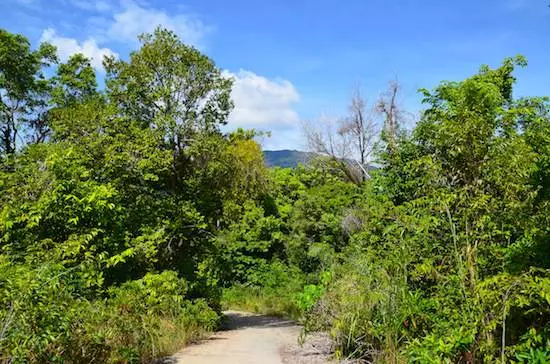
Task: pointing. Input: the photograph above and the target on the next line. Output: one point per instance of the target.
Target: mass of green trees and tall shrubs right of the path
(448, 264)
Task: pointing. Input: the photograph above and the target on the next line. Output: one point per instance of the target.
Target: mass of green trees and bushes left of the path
(108, 222)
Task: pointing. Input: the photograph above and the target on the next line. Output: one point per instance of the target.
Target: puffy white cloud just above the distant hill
(264, 104)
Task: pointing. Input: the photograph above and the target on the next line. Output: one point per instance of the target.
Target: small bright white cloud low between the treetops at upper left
(69, 46)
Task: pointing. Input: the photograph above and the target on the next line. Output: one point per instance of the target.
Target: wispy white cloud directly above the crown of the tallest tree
(134, 19)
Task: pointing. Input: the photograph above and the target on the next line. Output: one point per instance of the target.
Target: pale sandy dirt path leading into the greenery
(251, 338)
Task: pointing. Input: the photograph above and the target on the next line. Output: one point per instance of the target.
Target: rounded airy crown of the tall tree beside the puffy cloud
(171, 86)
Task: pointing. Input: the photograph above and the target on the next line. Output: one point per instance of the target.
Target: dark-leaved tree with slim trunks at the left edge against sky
(23, 89)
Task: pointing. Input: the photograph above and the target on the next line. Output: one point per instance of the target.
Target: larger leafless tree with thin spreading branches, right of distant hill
(349, 141)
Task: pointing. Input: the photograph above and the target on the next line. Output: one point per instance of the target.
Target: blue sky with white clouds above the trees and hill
(295, 60)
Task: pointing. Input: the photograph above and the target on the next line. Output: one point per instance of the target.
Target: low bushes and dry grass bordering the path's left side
(42, 320)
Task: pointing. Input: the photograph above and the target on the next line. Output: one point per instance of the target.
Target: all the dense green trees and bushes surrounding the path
(128, 219)
